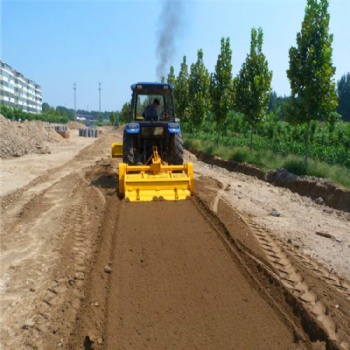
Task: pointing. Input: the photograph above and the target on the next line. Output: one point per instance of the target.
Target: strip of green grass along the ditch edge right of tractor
(267, 160)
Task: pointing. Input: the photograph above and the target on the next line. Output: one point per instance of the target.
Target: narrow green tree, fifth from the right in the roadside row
(181, 92)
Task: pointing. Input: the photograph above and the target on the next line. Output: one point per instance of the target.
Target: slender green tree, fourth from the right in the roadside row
(199, 97)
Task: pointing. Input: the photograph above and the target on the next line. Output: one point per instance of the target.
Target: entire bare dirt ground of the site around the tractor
(240, 265)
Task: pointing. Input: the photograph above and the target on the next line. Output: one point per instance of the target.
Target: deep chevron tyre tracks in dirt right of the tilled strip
(282, 258)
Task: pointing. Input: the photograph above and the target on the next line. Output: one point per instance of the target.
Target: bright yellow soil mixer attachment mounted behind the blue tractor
(143, 183)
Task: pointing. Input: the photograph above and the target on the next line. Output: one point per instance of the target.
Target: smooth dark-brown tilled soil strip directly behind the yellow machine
(174, 285)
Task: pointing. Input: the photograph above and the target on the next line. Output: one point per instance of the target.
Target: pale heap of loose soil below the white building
(18, 139)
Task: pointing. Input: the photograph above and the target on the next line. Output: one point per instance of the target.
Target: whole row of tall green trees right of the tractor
(201, 96)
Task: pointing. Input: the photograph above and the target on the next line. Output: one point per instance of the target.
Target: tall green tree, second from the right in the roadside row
(252, 86)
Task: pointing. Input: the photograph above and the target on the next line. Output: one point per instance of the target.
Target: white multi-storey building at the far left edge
(19, 92)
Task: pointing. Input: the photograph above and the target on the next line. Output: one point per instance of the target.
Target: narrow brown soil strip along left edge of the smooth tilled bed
(90, 328)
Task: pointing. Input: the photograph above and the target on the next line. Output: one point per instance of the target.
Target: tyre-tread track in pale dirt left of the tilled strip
(64, 295)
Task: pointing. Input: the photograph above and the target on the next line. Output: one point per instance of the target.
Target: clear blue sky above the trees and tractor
(59, 43)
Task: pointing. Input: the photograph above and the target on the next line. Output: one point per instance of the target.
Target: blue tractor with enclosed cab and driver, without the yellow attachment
(152, 124)
